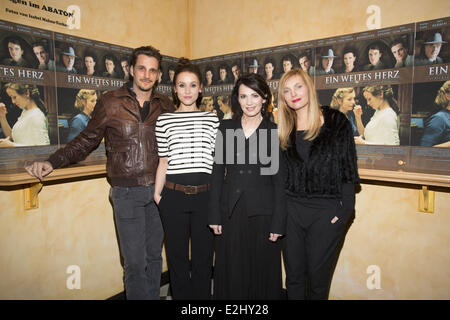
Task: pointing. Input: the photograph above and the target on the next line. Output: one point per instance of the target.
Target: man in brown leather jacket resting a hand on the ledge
(126, 118)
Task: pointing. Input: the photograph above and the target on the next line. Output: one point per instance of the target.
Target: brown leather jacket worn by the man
(131, 148)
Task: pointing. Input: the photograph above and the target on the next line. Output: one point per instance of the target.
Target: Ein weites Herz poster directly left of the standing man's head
(85, 70)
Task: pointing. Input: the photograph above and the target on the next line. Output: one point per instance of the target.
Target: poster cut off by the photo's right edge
(430, 114)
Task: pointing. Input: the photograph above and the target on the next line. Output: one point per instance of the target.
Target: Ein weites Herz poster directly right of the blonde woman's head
(367, 76)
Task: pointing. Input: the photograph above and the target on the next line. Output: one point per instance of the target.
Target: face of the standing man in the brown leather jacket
(145, 73)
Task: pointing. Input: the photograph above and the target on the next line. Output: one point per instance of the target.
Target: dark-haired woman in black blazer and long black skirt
(246, 207)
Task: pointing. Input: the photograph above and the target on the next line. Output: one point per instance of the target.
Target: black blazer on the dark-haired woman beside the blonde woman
(247, 172)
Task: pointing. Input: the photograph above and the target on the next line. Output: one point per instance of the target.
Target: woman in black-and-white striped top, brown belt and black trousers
(186, 140)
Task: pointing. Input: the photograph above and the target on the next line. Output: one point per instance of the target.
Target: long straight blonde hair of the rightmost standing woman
(287, 118)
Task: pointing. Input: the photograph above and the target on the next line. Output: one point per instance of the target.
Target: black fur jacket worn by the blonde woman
(332, 160)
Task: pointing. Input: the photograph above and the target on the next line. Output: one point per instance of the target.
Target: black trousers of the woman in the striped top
(185, 217)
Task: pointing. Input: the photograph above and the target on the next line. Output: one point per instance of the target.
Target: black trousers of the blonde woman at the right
(312, 244)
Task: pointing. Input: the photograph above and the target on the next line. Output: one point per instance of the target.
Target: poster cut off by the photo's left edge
(28, 109)
